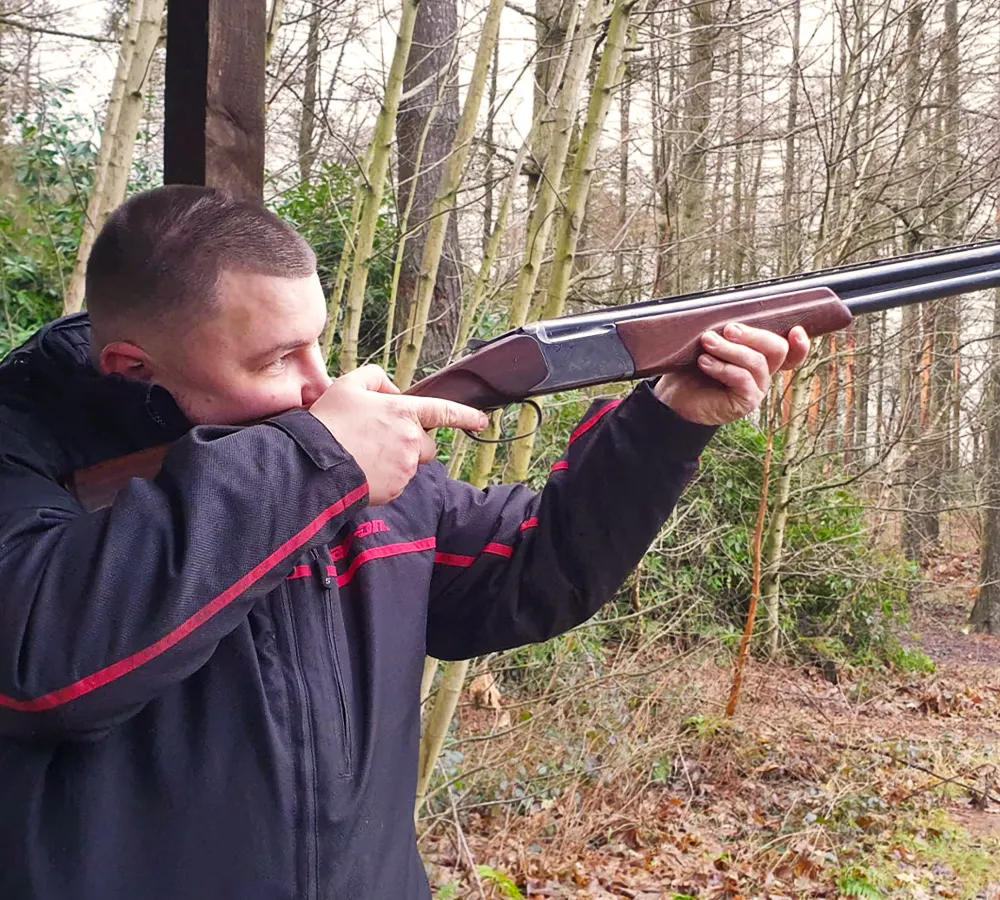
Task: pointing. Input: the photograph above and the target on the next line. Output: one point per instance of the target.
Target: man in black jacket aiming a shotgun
(210, 689)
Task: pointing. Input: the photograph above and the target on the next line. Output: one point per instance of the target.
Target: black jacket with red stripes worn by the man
(210, 689)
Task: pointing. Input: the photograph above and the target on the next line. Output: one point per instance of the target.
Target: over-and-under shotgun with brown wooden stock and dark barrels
(649, 338)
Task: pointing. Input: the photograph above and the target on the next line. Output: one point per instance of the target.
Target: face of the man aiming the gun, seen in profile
(256, 356)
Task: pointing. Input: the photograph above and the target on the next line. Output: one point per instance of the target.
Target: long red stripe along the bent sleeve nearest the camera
(123, 667)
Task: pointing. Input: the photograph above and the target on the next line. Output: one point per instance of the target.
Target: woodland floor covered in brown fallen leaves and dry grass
(878, 786)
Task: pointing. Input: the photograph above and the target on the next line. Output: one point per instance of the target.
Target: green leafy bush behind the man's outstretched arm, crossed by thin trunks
(697, 576)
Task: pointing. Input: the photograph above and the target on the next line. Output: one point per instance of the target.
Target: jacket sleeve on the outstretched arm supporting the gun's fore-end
(514, 567)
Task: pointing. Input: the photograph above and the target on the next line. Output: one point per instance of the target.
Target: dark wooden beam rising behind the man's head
(214, 95)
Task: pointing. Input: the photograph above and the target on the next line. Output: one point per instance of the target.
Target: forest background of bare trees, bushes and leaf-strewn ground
(465, 166)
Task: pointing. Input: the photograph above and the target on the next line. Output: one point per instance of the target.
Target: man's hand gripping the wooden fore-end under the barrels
(733, 375)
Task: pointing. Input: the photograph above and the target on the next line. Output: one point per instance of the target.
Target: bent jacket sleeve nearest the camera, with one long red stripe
(101, 611)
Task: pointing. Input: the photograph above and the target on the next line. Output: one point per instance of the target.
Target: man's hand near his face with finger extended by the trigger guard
(386, 431)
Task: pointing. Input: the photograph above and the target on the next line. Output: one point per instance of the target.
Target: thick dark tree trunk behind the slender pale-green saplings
(430, 81)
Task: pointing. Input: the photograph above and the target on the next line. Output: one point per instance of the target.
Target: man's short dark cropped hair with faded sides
(158, 258)
